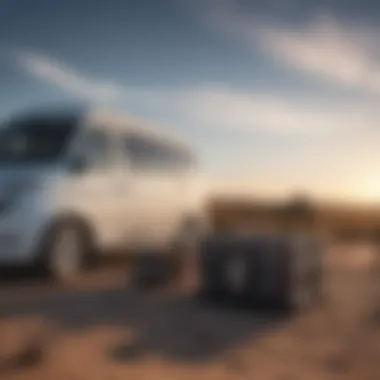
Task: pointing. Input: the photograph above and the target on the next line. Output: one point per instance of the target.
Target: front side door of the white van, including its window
(93, 192)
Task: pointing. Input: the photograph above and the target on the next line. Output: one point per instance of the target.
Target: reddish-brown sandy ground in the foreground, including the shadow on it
(102, 329)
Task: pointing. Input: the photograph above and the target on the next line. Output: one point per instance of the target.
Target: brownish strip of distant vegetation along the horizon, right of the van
(337, 221)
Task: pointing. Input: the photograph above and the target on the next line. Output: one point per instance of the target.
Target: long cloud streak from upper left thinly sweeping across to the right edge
(212, 106)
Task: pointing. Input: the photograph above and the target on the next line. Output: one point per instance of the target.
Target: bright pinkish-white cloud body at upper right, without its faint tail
(327, 50)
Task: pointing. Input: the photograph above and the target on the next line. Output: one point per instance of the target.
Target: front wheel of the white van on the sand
(65, 251)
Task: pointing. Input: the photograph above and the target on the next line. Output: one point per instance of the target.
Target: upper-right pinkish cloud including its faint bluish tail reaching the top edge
(345, 54)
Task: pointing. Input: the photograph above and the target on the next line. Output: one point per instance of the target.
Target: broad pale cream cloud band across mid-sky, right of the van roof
(224, 108)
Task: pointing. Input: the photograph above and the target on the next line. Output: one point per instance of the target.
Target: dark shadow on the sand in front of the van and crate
(177, 326)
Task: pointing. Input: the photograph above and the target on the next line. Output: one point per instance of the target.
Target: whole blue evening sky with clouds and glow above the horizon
(275, 95)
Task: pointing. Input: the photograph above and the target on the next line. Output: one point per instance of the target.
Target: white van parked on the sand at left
(76, 184)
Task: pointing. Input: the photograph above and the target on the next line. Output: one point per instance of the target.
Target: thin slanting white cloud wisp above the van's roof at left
(58, 74)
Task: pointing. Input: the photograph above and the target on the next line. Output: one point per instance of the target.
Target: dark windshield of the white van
(34, 140)
